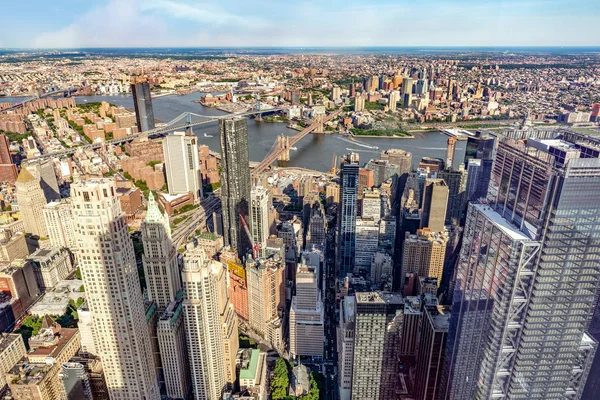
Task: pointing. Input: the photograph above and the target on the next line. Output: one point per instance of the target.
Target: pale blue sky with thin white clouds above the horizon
(244, 23)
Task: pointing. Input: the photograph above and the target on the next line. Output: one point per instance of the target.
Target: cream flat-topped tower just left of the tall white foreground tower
(58, 216)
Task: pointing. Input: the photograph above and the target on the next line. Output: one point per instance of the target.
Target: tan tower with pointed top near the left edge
(31, 200)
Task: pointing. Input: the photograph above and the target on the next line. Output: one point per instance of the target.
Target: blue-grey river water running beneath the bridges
(314, 151)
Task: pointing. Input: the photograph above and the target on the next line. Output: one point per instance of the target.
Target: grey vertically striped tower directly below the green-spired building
(173, 350)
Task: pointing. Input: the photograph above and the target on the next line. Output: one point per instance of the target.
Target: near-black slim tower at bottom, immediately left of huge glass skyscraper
(432, 346)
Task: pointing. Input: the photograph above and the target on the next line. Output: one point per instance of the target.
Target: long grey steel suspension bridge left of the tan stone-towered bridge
(168, 127)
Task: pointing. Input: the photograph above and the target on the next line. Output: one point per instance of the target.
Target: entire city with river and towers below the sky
(151, 258)
